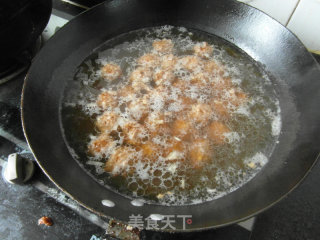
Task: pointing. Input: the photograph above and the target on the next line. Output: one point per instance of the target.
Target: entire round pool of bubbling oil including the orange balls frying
(171, 115)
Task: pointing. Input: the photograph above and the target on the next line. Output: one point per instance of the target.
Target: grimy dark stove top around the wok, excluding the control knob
(295, 217)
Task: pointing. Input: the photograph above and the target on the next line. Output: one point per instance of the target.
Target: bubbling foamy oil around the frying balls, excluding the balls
(254, 125)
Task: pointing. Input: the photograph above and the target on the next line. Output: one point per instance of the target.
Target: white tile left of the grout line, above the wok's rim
(279, 10)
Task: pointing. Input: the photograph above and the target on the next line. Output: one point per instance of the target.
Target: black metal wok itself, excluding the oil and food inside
(296, 80)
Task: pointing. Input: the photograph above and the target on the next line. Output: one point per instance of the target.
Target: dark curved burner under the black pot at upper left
(21, 63)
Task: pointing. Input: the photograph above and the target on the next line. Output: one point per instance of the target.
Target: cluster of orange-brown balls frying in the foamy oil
(173, 109)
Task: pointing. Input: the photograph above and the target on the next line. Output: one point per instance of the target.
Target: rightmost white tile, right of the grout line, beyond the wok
(305, 23)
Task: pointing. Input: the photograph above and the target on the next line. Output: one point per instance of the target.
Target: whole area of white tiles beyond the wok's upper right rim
(302, 17)
